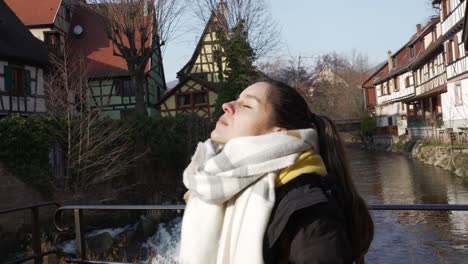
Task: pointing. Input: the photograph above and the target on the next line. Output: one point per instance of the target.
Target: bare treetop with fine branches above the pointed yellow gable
(263, 32)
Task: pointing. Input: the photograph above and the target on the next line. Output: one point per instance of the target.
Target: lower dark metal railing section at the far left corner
(35, 232)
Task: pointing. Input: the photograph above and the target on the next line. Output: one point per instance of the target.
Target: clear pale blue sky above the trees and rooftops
(313, 27)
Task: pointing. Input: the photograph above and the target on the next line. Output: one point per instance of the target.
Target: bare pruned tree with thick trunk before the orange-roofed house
(136, 29)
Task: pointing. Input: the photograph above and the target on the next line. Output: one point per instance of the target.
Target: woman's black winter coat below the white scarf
(307, 224)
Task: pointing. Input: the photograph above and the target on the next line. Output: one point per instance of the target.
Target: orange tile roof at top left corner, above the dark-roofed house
(35, 12)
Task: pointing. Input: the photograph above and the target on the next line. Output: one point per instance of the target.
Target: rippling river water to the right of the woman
(411, 236)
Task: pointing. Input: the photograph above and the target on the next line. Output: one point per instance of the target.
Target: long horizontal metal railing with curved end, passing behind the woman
(79, 219)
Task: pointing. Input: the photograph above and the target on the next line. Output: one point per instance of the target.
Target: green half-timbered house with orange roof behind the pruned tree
(111, 87)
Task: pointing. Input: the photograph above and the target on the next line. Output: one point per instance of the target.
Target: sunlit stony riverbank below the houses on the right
(447, 157)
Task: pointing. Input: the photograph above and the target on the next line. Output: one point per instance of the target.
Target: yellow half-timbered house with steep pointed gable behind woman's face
(200, 78)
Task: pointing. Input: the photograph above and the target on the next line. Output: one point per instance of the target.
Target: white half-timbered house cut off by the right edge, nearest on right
(455, 101)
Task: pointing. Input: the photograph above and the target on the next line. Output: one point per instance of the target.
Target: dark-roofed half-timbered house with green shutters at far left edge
(23, 59)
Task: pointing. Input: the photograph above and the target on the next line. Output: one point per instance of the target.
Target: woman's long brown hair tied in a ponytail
(290, 111)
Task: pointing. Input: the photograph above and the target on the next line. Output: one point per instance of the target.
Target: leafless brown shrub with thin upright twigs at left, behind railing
(94, 150)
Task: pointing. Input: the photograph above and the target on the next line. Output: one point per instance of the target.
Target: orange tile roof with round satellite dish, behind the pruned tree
(95, 46)
